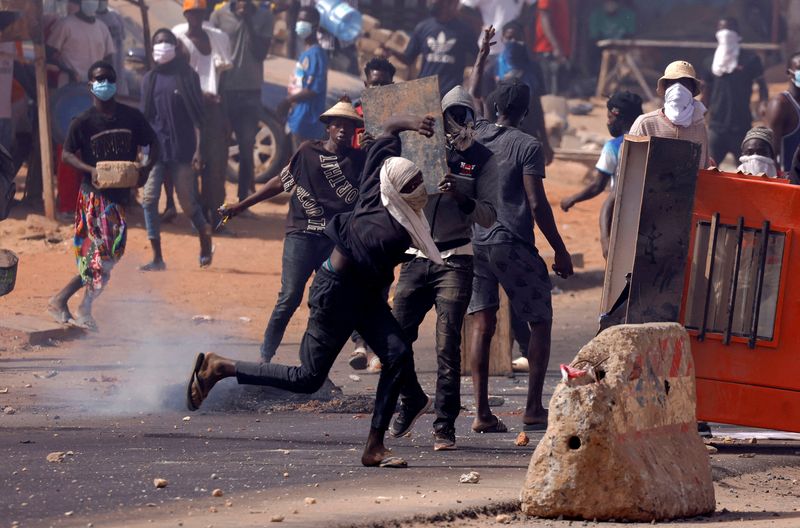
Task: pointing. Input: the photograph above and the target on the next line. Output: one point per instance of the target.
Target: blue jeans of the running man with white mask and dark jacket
(185, 182)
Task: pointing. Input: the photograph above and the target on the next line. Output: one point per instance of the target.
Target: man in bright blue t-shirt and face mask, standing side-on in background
(309, 83)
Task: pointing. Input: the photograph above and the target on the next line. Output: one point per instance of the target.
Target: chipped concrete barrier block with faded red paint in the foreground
(622, 439)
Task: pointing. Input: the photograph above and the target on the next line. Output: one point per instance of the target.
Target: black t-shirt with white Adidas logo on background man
(446, 48)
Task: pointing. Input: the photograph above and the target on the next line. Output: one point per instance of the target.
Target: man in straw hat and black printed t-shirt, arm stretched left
(323, 178)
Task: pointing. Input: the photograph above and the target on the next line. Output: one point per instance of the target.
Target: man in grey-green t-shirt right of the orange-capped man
(250, 31)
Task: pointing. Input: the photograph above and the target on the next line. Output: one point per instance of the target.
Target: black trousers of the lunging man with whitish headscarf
(338, 306)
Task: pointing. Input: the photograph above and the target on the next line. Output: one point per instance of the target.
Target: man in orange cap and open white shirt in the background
(209, 56)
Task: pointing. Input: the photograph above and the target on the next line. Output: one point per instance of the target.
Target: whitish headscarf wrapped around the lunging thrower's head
(407, 208)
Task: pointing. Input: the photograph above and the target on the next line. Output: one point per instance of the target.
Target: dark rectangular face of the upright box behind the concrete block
(664, 226)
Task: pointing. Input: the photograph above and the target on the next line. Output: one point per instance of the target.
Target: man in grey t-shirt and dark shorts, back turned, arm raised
(506, 255)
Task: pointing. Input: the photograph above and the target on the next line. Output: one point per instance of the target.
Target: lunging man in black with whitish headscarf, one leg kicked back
(346, 292)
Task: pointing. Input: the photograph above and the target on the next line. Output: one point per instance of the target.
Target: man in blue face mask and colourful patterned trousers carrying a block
(108, 131)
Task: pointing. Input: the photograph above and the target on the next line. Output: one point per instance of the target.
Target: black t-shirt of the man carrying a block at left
(95, 136)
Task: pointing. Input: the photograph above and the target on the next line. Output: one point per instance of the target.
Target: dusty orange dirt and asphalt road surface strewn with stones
(114, 400)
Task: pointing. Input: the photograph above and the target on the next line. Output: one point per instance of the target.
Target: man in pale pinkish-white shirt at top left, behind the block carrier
(79, 40)
